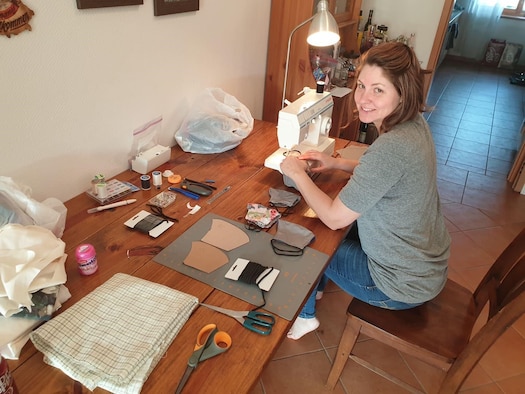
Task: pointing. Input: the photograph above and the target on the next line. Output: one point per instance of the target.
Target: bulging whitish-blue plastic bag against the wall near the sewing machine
(217, 122)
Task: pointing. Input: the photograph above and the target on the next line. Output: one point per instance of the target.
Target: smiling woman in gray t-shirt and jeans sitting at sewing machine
(399, 257)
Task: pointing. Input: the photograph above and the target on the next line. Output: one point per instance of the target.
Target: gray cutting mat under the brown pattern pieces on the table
(297, 275)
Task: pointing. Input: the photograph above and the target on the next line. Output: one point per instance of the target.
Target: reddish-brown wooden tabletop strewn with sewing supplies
(242, 168)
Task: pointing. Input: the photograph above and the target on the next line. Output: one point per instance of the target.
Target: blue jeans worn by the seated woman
(348, 269)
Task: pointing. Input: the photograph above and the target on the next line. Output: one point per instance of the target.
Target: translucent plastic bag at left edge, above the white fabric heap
(17, 206)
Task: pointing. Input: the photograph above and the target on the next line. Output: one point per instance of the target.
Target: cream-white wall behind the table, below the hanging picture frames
(76, 86)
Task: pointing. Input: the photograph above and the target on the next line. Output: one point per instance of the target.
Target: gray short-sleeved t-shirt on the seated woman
(401, 226)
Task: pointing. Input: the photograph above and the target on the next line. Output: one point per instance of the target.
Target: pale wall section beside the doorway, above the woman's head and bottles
(404, 17)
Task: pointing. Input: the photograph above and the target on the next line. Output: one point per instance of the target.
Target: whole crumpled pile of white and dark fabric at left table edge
(32, 277)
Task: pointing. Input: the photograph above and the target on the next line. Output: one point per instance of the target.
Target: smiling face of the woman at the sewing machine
(375, 96)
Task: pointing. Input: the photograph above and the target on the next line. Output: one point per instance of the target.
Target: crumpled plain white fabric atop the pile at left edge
(31, 258)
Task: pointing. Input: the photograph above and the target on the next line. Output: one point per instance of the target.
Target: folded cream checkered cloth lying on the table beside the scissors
(115, 336)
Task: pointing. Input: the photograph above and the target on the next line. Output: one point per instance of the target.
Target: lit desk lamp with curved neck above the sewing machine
(323, 32)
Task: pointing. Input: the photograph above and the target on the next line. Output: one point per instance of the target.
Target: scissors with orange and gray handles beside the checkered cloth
(210, 342)
